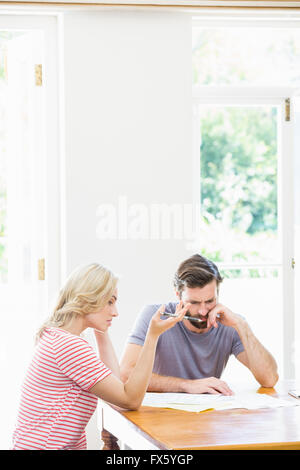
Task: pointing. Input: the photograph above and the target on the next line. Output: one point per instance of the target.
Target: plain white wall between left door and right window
(128, 125)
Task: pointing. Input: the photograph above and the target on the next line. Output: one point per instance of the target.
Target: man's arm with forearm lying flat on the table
(161, 383)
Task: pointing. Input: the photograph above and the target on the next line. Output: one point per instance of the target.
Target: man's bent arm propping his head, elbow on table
(255, 356)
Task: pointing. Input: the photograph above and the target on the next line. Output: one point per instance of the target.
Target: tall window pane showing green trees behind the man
(239, 205)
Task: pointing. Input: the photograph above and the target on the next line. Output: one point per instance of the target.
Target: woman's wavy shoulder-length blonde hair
(87, 289)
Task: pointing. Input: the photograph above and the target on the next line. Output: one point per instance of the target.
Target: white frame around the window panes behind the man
(247, 94)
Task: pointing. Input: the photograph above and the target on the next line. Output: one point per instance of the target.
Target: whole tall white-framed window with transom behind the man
(244, 159)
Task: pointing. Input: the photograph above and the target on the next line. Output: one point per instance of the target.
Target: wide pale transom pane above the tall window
(258, 56)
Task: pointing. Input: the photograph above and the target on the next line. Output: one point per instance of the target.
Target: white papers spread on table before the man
(203, 401)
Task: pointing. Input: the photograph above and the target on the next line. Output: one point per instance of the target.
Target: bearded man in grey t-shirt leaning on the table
(191, 356)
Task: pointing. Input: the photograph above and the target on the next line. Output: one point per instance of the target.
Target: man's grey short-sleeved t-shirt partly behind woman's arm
(183, 353)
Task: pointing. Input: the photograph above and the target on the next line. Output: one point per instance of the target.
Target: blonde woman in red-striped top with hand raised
(66, 376)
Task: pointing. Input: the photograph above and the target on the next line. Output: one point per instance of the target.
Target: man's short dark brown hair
(196, 271)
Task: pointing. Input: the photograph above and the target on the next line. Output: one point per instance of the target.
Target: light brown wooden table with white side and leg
(237, 429)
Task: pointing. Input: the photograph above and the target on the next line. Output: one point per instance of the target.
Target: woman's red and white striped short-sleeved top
(56, 404)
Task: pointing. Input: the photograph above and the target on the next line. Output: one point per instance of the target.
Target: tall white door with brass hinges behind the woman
(23, 299)
